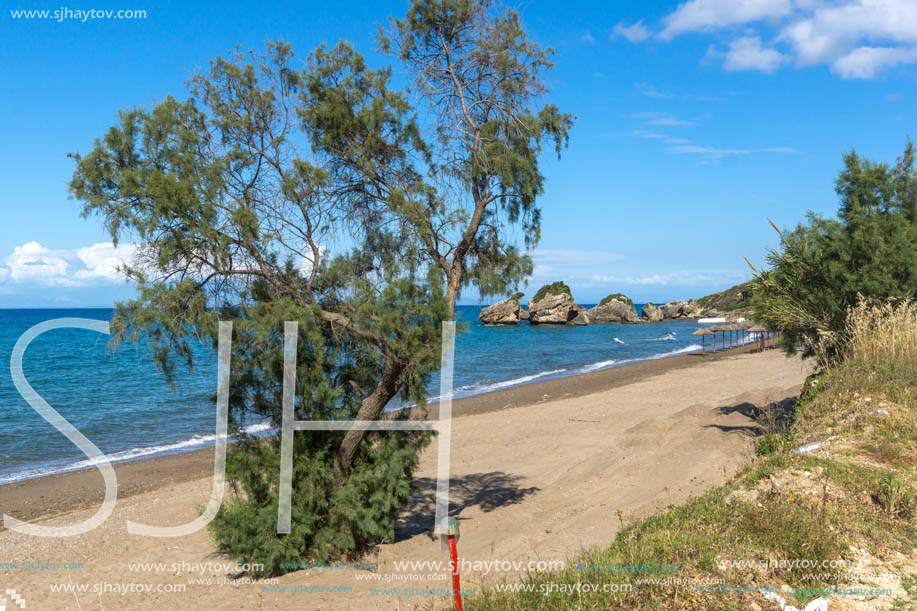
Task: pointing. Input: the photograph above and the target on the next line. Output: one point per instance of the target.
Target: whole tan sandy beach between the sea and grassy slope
(539, 472)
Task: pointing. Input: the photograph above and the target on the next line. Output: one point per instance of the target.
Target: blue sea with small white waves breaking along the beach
(119, 400)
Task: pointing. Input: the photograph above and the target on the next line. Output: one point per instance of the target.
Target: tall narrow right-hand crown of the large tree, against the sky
(476, 69)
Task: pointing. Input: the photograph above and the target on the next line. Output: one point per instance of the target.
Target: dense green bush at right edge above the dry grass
(825, 265)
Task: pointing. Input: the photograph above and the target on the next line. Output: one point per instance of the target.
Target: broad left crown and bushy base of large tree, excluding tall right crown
(233, 224)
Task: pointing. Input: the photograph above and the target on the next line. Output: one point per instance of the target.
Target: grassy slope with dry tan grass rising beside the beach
(850, 502)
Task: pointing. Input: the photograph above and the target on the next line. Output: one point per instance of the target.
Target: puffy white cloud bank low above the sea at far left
(35, 265)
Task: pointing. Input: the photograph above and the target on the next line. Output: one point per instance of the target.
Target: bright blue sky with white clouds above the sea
(697, 122)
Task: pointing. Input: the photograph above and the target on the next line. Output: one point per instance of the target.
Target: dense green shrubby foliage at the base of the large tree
(328, 520)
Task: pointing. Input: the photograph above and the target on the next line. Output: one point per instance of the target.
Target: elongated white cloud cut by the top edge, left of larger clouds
(699, 15)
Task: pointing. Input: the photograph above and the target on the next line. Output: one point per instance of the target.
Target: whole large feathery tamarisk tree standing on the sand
(314, 193)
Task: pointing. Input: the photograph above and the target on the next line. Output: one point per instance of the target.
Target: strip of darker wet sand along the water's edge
(58, 493)
